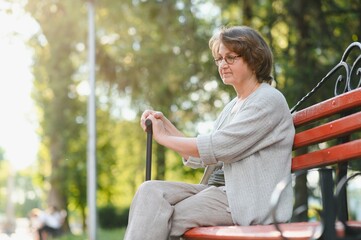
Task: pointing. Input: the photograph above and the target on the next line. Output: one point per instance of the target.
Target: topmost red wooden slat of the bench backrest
(328, 107)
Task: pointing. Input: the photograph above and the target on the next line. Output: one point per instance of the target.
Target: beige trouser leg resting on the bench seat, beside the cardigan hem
(206, 208)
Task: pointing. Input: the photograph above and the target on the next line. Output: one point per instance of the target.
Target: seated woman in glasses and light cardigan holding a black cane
(251, 146)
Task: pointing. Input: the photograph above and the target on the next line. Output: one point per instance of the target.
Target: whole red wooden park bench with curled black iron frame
(328, 137)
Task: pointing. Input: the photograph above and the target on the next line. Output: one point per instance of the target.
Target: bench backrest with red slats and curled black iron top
(325, 132)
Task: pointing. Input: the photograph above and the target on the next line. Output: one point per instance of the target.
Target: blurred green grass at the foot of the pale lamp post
(113, 234)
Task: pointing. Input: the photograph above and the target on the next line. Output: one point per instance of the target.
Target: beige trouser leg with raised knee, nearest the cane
(152, 208)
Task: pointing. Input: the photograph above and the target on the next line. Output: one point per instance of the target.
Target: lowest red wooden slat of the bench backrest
(339, 153)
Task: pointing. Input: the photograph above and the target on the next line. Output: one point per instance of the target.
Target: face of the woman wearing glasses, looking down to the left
(235, 74)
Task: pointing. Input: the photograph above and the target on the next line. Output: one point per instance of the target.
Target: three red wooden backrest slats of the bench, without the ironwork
(335, 119)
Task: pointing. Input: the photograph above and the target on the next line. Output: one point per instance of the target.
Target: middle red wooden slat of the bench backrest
(337, 128)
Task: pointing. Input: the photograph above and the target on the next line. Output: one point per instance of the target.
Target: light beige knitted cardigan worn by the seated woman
(256, 149)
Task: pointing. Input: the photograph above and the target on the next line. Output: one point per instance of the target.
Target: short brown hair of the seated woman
(248, 44)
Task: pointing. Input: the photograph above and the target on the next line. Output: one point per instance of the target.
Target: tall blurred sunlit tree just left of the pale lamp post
(55, 93)
